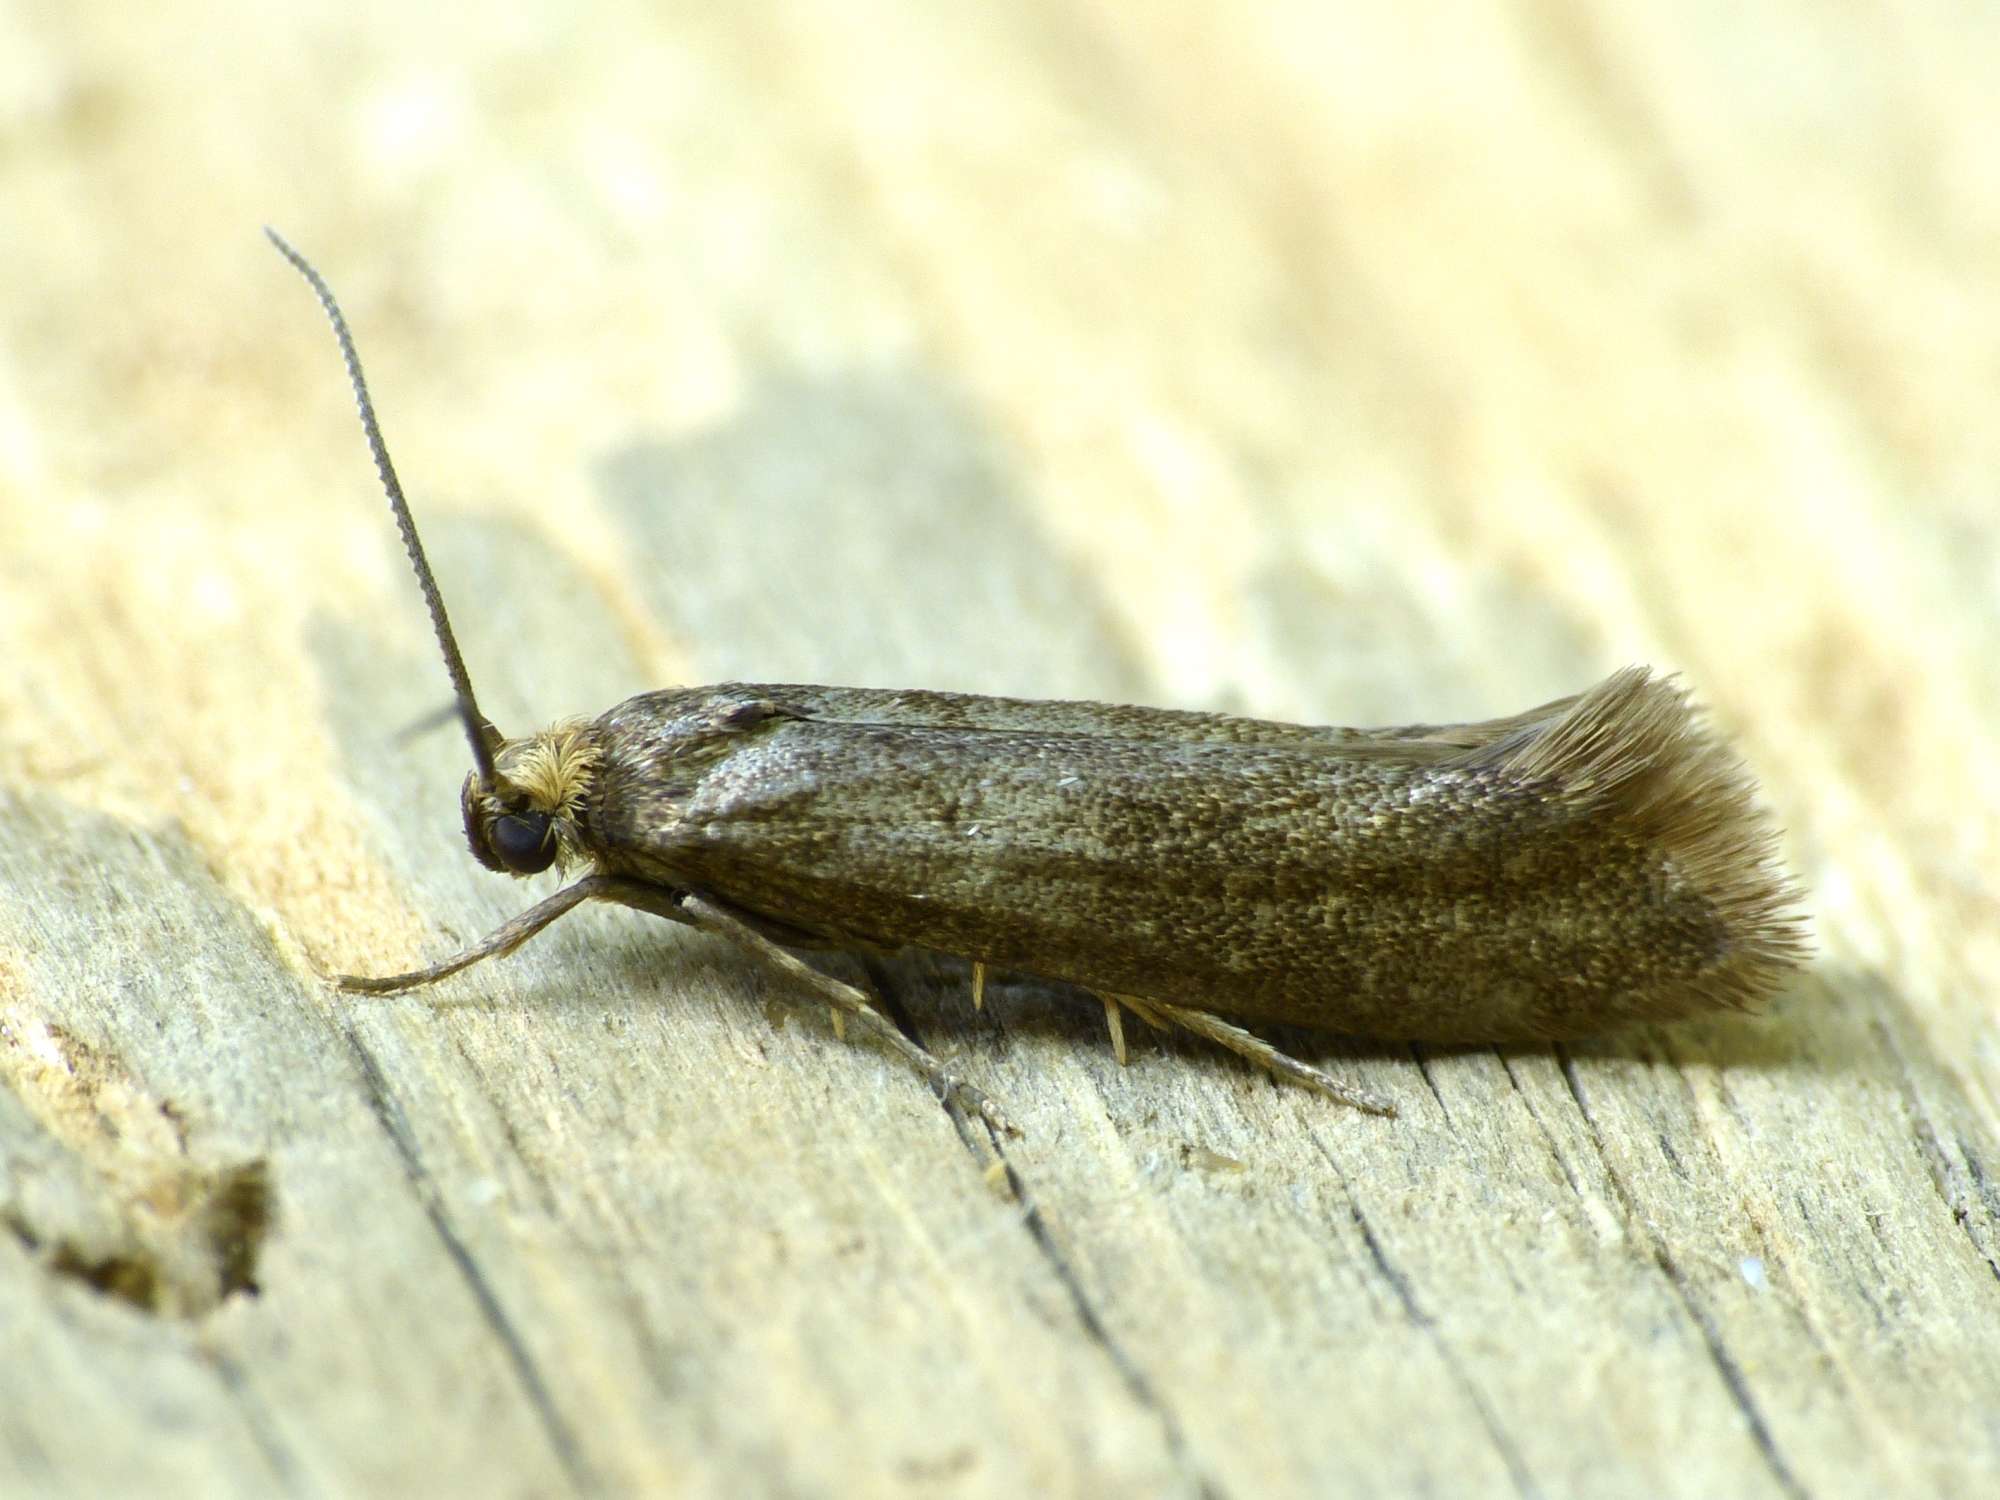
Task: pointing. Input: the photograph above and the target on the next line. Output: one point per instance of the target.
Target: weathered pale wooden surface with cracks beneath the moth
(1349, 365)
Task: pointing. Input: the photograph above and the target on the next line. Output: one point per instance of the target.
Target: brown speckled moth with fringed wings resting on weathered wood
(1579, 867)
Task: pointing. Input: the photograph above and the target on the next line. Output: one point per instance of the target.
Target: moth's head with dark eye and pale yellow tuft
(527, 817)
